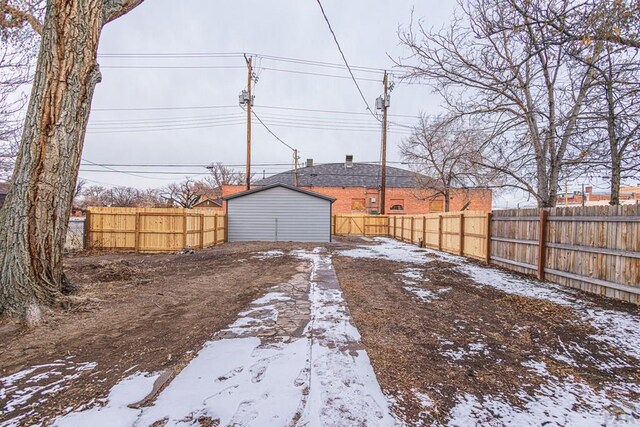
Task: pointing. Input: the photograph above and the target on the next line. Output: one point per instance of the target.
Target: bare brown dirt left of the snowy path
(137, 312)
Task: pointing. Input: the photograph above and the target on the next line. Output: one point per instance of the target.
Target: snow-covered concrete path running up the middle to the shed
(274, 366)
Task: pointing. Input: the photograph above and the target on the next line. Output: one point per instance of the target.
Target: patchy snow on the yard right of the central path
(559, 401)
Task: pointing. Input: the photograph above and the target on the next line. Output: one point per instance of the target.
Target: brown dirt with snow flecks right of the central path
(467, 339)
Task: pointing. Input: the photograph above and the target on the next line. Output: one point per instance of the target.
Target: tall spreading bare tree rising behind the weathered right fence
(504, 67)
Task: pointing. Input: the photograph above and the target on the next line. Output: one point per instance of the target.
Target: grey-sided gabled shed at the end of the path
(279, 212)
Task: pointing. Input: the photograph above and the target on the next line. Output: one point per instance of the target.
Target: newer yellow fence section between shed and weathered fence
(460, 233)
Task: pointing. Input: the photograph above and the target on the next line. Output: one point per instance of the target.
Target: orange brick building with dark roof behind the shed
(355, 186)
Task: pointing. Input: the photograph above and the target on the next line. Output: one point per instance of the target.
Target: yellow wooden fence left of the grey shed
(153, 229)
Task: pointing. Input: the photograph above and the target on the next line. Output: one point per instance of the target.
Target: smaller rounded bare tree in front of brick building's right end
(448, 155)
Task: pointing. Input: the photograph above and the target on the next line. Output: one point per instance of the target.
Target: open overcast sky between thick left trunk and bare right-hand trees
(133, 120)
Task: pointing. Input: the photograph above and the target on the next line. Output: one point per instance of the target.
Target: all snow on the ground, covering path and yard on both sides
(294, 357)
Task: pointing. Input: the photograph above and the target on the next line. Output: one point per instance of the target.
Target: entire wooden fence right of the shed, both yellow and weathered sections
(595, 249)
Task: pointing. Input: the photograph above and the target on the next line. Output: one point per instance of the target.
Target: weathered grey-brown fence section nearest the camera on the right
(595, 248)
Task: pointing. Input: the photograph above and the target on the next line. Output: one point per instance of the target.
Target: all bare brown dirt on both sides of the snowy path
(443, 336)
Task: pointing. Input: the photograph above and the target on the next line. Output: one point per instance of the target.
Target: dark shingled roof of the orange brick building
(338, 175)
